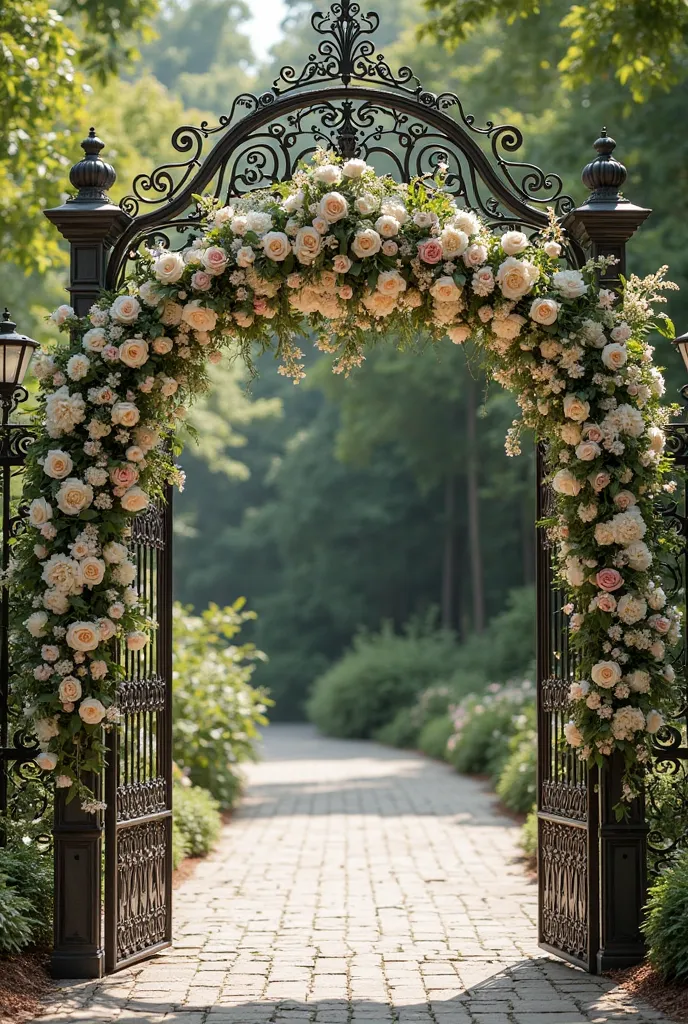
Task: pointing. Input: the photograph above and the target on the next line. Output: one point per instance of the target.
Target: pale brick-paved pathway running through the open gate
(356, 886)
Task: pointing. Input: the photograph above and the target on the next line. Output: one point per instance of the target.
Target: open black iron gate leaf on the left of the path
(139, 779)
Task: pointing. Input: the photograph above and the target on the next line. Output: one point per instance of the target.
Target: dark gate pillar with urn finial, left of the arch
(92, 225)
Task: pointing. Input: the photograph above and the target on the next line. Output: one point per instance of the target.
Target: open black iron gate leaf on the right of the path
(568, 814)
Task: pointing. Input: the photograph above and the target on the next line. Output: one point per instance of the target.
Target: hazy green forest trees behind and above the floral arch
(336, 506)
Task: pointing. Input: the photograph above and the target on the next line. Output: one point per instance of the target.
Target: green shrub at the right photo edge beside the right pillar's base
(666, 925)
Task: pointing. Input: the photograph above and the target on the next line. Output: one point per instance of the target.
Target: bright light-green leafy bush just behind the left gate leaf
(217, 712)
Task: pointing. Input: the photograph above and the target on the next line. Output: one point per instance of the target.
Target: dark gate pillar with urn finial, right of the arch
(604, 226)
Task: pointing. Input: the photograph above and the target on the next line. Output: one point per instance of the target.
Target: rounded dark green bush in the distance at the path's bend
(381, 673)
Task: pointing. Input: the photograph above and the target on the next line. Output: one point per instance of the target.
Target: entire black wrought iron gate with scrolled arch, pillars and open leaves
(350, 99)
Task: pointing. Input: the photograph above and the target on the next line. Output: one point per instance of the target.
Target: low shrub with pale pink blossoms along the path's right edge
(485, 726)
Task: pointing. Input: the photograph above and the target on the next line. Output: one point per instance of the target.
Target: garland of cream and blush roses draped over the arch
(348, 255)
